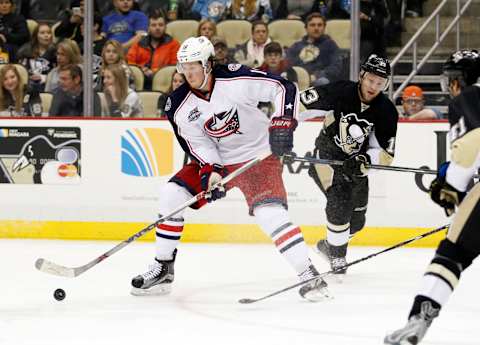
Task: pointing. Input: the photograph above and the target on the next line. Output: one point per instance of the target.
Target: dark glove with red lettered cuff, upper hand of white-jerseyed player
(281, 135)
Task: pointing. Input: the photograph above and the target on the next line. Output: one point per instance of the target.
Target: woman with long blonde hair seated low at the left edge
(15, 97)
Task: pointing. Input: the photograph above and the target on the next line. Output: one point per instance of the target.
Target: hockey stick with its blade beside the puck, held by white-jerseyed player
(71, 272)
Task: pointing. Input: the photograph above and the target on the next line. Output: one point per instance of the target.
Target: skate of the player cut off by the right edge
(416, 327)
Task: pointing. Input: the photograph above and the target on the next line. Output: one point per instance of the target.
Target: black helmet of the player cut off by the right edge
(464, 66)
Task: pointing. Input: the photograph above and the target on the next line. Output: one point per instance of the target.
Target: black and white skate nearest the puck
(157, 280)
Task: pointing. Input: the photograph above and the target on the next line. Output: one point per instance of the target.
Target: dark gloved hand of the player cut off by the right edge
(444, 194)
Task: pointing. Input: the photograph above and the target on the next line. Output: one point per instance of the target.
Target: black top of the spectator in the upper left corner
(14, 27)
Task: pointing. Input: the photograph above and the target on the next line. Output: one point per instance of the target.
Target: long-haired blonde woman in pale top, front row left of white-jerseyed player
(121, 100)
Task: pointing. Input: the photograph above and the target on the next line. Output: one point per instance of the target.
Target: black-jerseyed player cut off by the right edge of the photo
(462, 244)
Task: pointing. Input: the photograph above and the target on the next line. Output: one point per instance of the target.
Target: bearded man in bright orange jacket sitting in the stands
(155, 50)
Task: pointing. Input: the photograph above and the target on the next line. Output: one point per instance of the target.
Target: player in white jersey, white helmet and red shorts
(217, 122)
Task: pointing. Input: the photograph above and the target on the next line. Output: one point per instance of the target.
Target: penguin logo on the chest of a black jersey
(352, 132)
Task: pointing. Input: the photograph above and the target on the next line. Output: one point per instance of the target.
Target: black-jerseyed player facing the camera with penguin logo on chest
(360, 127)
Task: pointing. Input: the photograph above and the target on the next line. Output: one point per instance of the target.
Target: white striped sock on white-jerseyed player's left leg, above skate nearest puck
(169, 232)
